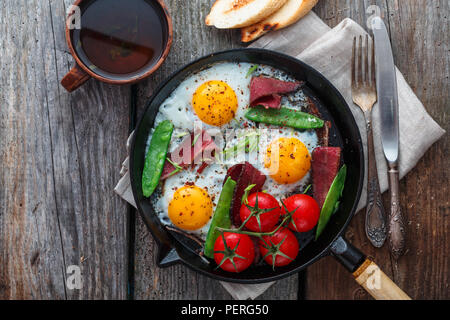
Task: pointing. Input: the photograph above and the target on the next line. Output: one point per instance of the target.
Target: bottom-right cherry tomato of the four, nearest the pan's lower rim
(283, 245)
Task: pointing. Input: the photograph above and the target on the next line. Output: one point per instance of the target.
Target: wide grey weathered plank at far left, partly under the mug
(60, 157)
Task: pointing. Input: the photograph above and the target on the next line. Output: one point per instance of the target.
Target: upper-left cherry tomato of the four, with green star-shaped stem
(265, 219)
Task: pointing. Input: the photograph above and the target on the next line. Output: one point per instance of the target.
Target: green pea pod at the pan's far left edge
(156, 157)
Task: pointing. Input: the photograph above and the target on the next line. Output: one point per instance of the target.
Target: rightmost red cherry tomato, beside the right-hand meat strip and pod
(306, 213)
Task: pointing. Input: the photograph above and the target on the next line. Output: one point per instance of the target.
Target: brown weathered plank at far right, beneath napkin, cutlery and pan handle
(418, 30)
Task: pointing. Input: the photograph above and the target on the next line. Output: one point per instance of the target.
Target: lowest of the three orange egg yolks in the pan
(190, 208)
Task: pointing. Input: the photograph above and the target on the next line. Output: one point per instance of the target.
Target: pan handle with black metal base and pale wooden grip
(366, 272)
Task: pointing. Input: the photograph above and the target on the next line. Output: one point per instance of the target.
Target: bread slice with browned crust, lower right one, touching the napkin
(288, 14)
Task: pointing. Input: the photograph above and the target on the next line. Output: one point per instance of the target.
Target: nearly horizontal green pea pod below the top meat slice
(284, 117)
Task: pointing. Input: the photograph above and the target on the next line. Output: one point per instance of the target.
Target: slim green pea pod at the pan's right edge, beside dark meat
(331, 203)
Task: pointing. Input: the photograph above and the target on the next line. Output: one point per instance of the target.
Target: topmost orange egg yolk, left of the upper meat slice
(215, 103)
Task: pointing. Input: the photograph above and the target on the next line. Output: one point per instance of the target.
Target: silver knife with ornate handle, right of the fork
(388, 108)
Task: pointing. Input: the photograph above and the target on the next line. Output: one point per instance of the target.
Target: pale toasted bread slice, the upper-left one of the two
(227, 14)
